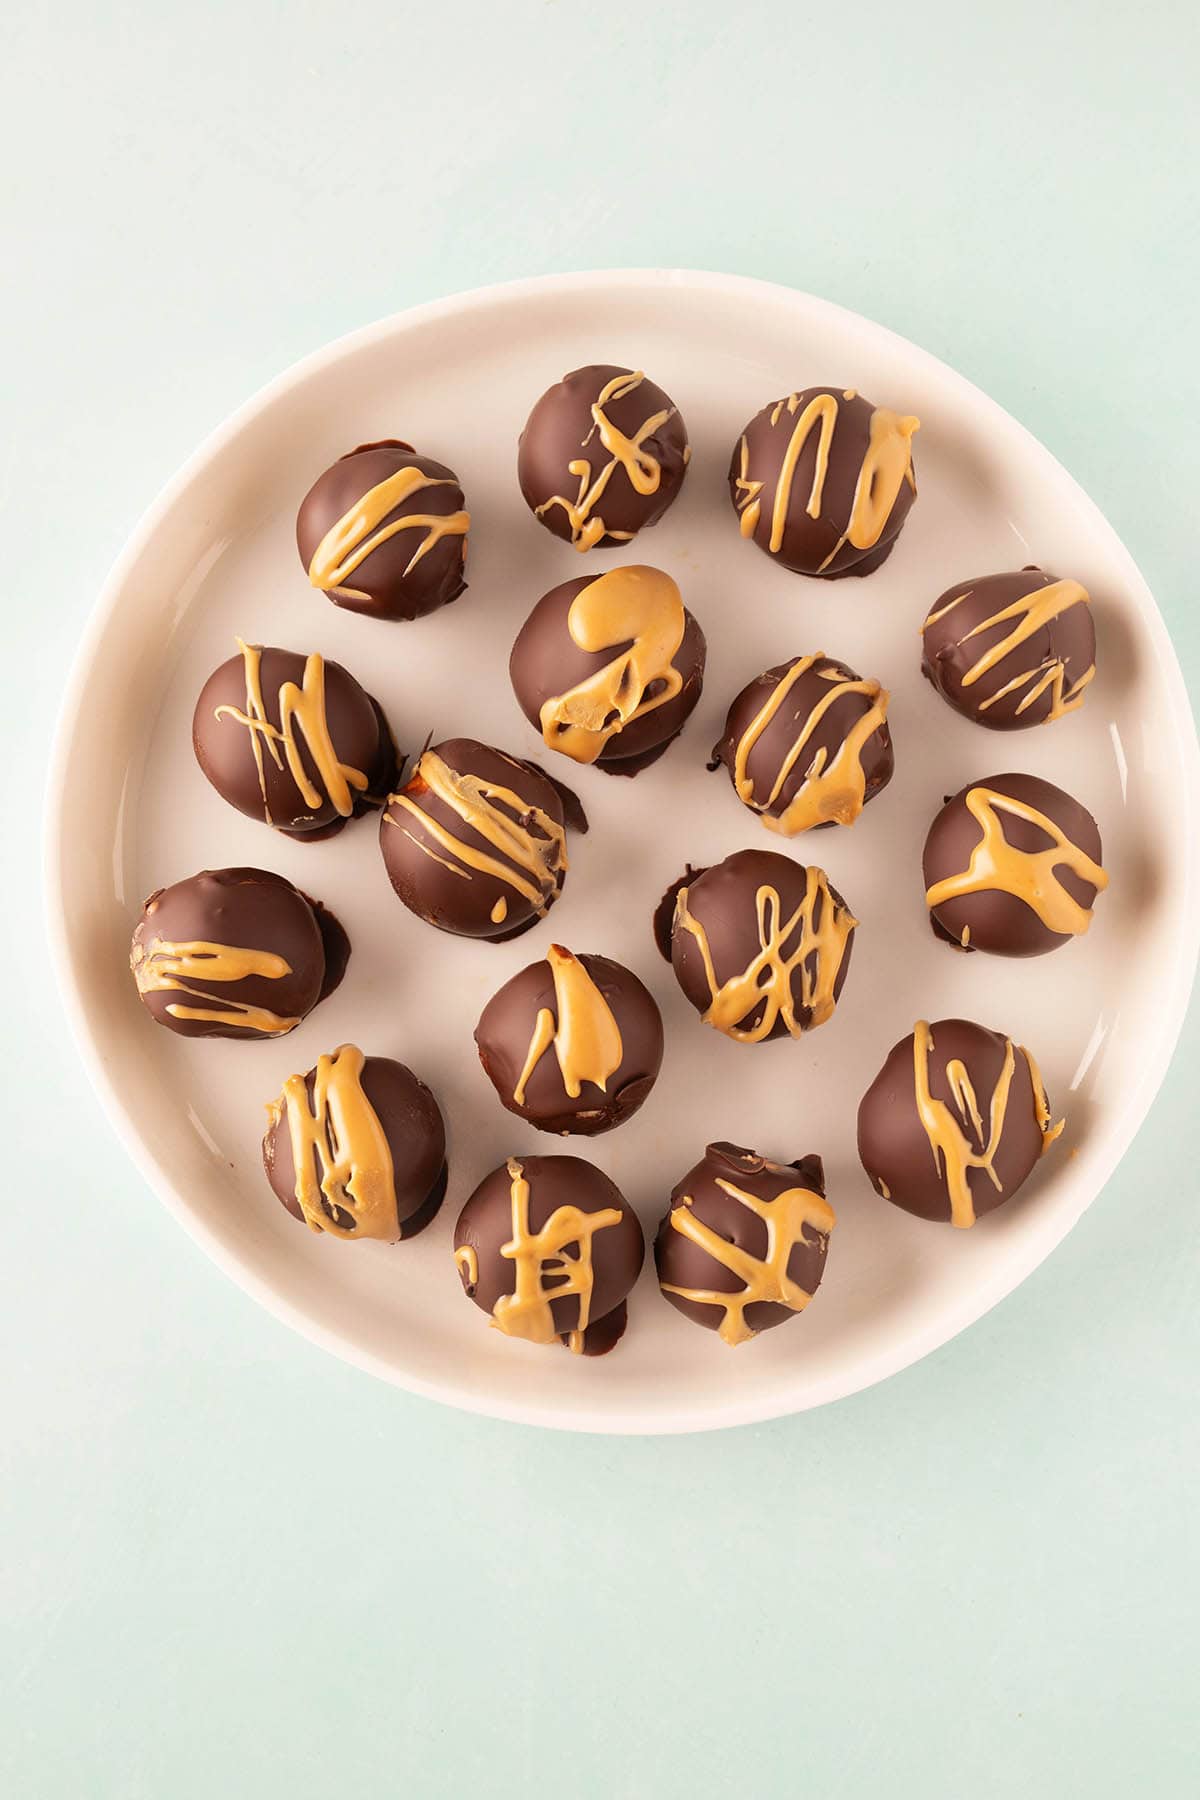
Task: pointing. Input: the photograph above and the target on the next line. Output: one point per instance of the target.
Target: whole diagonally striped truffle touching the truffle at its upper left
(476, 841)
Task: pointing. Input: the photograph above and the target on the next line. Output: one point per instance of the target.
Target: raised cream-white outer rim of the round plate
(872, 1369)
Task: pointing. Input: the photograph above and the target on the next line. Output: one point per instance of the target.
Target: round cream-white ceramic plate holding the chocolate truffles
(130, 811)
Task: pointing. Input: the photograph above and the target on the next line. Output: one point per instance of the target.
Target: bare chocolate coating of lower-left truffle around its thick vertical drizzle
(415, 1133)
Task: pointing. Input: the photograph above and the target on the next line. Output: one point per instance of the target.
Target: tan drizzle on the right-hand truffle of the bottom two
(766, 1279)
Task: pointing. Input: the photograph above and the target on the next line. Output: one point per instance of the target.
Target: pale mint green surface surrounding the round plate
(237, 1569)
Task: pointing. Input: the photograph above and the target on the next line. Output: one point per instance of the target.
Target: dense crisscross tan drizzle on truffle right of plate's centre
(816, 957)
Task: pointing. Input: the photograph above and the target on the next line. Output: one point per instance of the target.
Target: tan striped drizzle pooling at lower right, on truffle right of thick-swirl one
(834, 787)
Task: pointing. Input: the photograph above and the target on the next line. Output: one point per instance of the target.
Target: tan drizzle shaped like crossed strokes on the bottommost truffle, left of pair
(526, 1313)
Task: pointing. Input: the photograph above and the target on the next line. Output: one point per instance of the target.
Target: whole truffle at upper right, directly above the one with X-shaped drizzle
(1012, 651)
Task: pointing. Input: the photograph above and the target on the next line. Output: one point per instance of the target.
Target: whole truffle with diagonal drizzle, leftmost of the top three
(384, 532)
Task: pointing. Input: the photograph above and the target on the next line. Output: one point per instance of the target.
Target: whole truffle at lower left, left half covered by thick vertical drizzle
(357, 1147)
